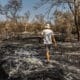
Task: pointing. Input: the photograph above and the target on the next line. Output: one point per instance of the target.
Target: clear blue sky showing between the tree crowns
(28, 5)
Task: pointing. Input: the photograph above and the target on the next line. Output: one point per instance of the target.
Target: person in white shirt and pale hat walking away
(48, 39)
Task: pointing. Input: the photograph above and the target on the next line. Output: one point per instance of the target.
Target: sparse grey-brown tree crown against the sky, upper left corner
(11, 9)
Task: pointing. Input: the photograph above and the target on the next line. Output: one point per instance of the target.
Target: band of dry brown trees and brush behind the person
(64, 22)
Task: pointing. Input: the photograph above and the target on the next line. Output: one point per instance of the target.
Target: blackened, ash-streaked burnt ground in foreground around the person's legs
(23, 61)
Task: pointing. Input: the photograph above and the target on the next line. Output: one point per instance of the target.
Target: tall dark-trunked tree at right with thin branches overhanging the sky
(73, 5)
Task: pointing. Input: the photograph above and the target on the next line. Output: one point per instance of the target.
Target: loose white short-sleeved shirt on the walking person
(47, 36)
